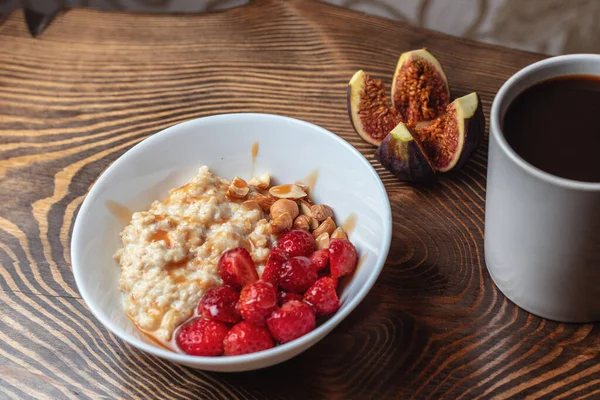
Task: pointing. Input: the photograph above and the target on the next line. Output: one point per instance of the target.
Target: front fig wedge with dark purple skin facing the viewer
(404, 157)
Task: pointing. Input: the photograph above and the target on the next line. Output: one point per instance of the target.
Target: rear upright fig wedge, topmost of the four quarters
(420, 89)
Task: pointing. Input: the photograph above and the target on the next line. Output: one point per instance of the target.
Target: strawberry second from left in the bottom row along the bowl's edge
(245, 338)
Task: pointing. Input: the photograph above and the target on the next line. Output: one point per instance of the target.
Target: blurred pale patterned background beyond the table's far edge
(545, 26)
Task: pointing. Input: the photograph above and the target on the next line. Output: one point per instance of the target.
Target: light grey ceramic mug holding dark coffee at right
(542, 232)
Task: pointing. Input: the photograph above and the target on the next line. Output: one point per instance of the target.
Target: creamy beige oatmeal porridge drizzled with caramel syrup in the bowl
(170, 252)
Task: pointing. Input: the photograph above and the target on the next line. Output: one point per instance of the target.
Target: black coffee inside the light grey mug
(555, 126)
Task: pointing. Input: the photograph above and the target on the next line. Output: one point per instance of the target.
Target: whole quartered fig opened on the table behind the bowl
(422, 133)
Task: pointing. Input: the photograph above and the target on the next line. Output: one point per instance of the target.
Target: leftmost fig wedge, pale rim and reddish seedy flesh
(369, 110)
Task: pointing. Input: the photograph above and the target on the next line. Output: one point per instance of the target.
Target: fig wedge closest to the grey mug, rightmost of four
(450, 140)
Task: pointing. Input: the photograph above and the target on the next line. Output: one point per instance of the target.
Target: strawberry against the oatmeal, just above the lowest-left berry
(219, 304)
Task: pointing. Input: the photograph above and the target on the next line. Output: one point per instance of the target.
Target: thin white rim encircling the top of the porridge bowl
(280, 350)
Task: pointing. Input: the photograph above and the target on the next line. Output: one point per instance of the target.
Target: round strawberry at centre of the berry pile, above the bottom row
(257, 302)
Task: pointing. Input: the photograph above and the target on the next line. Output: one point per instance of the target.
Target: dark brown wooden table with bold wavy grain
(94, 84)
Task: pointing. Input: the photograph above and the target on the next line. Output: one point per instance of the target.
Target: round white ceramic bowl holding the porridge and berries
(290, 150)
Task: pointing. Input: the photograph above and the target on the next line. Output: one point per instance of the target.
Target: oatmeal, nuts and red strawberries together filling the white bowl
(232, 267)
